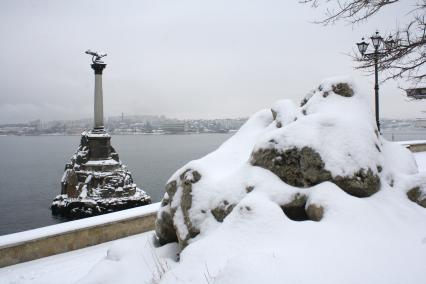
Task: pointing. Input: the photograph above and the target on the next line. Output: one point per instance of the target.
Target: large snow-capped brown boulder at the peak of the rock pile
(333, 139)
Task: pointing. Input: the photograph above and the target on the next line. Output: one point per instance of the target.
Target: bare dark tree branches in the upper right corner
(408, 58)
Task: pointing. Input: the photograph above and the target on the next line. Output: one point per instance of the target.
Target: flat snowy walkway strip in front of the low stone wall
(71, 267)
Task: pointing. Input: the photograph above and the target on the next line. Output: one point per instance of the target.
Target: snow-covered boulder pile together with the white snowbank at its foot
(332, 202)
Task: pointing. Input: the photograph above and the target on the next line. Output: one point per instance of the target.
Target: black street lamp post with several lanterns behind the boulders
(378, 53)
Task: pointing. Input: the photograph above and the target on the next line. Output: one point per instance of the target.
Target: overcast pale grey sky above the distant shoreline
(183, 59)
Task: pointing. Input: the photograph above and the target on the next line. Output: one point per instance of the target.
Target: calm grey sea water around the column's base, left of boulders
(31, 168)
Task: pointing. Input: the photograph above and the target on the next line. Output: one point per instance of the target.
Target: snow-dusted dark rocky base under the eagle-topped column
(96, 181)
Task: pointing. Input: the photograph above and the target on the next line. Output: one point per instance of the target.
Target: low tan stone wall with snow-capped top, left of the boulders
(60, 238)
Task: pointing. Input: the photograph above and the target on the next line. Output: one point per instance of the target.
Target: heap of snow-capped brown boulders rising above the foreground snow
(285, 153)
